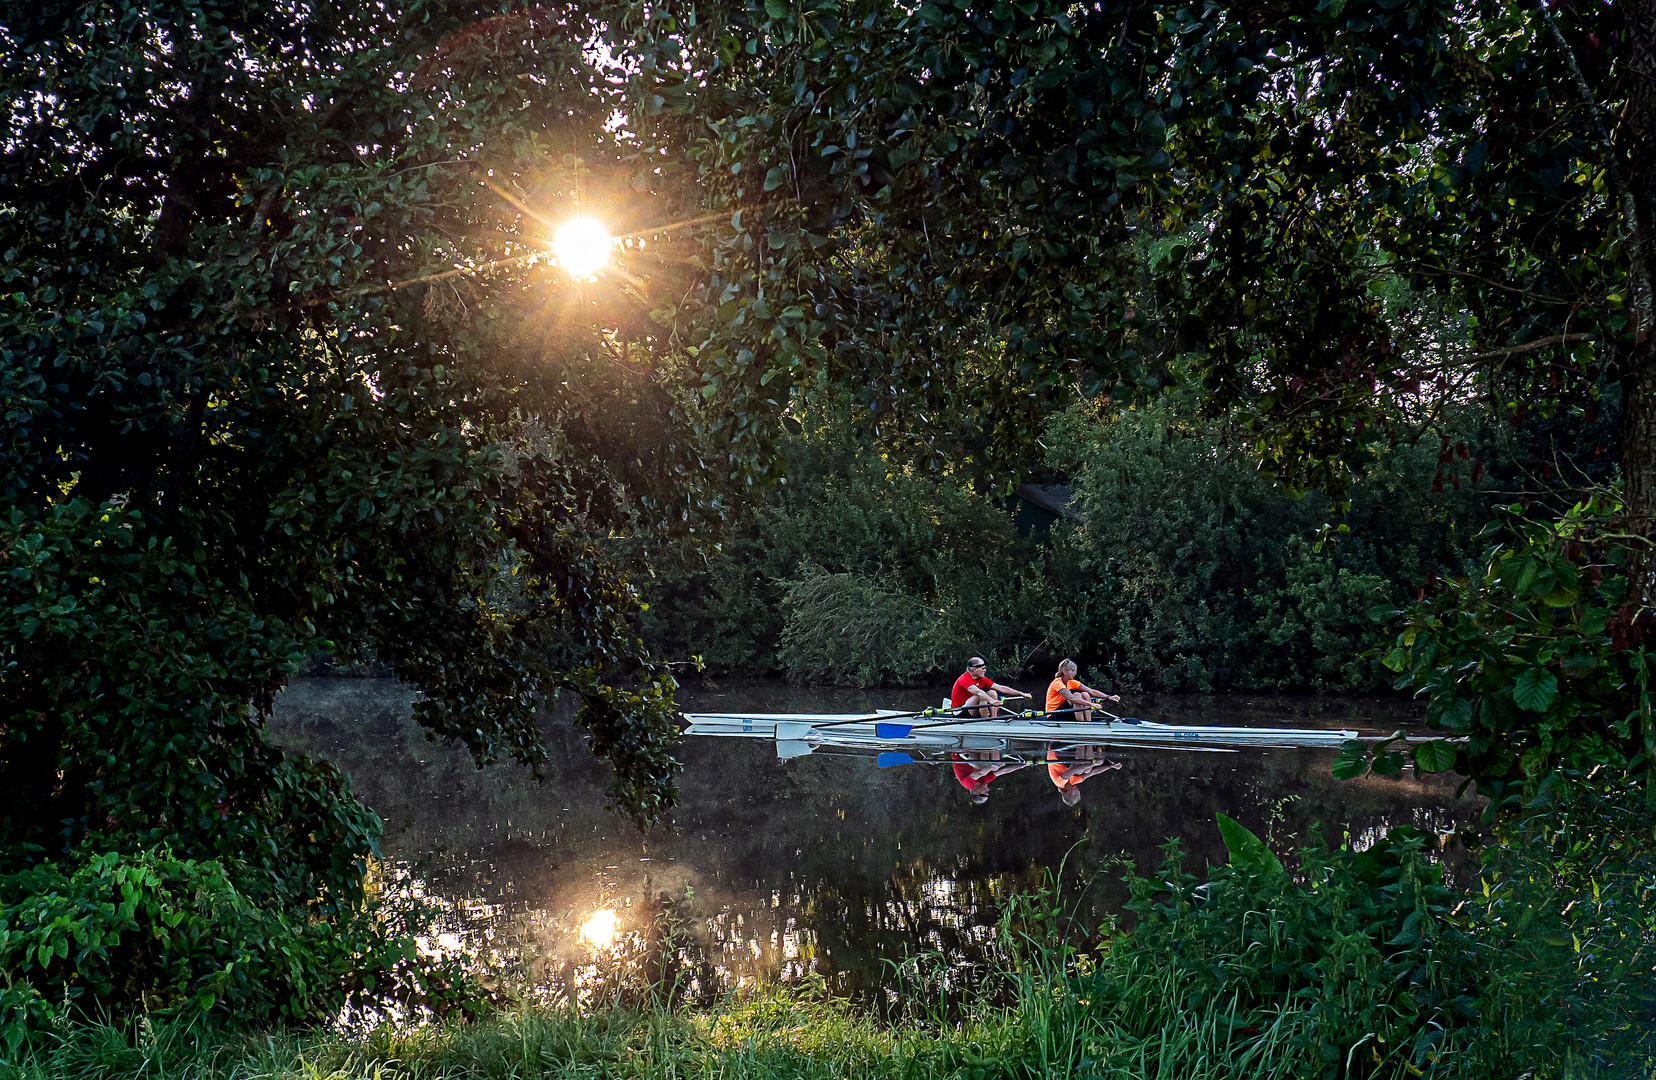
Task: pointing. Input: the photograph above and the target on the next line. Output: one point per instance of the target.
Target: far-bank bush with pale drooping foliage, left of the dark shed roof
(860, 569)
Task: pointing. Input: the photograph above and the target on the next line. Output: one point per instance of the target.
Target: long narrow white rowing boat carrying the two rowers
(804, 733)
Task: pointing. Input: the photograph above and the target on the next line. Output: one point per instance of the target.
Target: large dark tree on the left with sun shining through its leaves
(286, 370)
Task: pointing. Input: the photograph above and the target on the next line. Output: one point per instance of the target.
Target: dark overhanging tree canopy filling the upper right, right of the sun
(993, 208)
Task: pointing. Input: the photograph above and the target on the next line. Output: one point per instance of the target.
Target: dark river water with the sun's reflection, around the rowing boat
(816, 869)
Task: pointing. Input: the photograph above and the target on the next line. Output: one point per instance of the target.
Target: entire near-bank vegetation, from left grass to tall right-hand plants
(1336, 965)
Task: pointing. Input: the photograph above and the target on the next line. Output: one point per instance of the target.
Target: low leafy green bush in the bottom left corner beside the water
(173, 938)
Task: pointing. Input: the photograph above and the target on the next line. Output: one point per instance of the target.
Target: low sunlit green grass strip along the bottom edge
(768, 1036)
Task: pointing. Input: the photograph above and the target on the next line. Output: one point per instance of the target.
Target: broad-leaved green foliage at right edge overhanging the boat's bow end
(1536, 662)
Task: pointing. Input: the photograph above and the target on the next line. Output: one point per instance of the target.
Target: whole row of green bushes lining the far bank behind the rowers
(1182, 566)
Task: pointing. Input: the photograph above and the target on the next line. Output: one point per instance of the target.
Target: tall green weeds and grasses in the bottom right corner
(1360, 963)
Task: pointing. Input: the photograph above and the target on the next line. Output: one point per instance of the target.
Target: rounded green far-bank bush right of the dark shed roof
(1201, 574)
